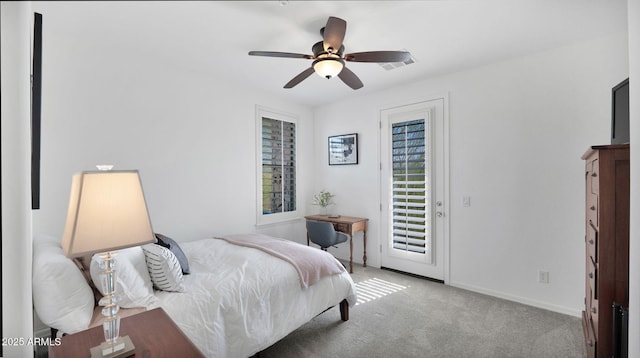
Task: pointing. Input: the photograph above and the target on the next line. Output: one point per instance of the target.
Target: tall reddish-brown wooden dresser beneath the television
(607, 243)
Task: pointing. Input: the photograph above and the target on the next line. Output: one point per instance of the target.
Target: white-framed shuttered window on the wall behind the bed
(276, 166)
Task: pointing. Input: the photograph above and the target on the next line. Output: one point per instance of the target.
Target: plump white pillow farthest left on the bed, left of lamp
(61, 296)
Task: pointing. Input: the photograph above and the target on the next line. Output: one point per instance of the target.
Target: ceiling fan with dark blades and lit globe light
(329, 58)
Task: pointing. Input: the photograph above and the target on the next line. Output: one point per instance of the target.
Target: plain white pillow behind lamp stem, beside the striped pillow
(133, 284)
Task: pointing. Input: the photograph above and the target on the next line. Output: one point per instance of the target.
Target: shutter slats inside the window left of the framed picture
(278, 166)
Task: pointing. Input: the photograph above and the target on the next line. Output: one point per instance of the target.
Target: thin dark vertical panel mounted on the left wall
(36, 91)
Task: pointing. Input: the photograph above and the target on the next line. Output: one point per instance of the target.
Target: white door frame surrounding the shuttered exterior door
(446, 181)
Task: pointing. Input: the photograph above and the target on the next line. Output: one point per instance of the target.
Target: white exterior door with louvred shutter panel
(413, 195)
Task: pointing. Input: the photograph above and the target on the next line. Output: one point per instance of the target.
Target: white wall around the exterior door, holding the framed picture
(517, 131)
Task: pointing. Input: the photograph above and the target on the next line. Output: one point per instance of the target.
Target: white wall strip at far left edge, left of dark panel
(17, 22)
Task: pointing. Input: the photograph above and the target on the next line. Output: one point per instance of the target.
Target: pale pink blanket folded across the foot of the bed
(312, 264)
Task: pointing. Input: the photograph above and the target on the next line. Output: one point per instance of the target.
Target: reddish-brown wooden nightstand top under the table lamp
(153, 333)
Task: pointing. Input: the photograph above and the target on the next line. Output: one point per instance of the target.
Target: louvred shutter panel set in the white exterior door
(410, 187)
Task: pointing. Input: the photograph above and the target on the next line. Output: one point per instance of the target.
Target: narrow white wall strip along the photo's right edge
(634, 245)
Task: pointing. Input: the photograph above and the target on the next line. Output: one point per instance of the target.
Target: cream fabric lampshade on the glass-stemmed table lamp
(107, 211)
